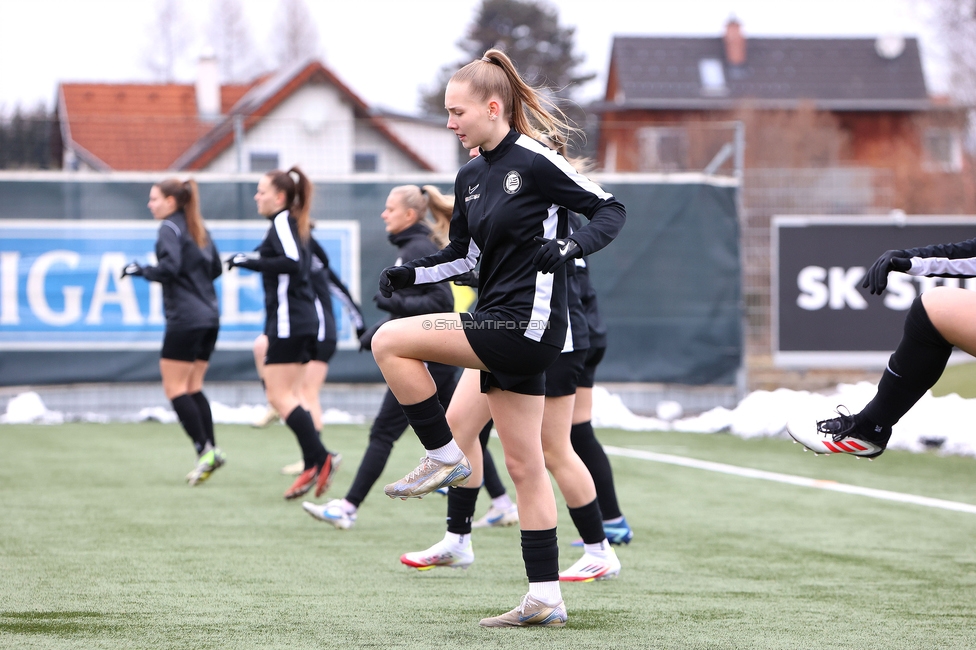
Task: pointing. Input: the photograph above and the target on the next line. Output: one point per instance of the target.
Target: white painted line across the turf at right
(802, 481)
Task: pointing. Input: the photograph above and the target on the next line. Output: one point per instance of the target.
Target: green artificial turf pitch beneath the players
(102, 545)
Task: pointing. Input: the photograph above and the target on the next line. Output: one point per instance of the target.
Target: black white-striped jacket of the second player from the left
(285, 267)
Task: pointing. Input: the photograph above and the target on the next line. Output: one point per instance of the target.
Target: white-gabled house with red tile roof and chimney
(301, 115)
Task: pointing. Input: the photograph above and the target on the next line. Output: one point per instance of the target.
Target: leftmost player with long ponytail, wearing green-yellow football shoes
(187, 263)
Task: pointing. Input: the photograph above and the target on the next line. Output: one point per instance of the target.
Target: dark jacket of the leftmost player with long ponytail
(187, 273)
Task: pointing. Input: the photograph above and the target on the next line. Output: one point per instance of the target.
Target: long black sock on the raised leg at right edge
(916, 365)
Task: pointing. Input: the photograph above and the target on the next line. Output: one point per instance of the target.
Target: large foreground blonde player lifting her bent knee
(509, 205)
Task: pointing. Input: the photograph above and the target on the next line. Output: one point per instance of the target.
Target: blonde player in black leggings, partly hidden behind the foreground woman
(404, 216)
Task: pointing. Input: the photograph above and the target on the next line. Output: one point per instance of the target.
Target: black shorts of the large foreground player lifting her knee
(515, 363)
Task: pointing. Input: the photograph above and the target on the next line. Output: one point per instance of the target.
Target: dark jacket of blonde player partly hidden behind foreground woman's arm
(412, 243)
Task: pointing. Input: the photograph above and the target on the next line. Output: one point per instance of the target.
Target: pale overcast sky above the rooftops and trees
(385, 50)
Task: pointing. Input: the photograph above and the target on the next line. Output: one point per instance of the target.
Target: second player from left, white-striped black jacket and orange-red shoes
(291, 320)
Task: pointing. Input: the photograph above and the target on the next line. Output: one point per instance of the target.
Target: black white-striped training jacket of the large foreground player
(503, 199)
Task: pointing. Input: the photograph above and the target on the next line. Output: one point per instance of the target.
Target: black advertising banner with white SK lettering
(821, 315)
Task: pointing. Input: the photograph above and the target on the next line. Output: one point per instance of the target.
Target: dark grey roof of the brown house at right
(829, 71)
